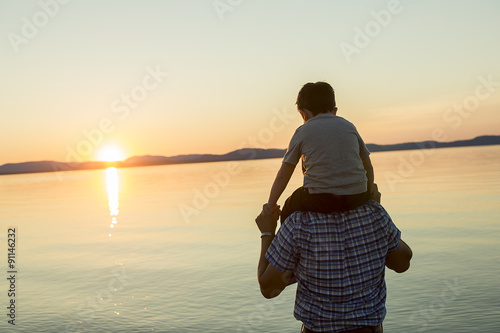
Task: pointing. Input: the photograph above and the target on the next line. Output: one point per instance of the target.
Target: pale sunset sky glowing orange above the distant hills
(177, 77)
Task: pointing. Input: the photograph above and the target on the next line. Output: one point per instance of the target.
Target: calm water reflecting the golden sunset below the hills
(175, 248)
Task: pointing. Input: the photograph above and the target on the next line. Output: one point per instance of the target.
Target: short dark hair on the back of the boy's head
(316, 97)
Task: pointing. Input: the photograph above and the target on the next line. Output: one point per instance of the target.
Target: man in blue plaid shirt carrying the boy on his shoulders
(338, 260)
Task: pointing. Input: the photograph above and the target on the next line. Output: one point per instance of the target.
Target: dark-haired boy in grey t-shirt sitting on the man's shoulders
(338, 174)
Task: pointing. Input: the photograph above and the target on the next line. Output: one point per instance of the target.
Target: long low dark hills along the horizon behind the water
(237, 155)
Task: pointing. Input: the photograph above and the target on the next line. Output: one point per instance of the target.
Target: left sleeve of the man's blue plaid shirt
(282, 253)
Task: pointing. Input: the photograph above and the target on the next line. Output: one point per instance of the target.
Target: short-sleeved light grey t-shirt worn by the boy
(331, 150)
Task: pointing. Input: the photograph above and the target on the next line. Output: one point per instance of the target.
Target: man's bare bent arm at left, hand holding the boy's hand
(271, 280)
